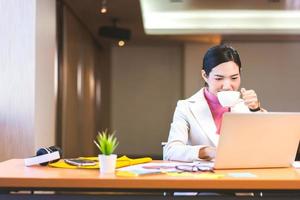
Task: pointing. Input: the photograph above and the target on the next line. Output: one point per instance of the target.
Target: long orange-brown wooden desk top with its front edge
(13, 174)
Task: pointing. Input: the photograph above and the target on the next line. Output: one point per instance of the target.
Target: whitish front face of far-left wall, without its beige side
(17, 72)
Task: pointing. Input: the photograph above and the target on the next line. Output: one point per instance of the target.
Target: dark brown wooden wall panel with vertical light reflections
(78, 89)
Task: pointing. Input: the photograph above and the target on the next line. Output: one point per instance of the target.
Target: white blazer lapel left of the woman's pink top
(201, 111)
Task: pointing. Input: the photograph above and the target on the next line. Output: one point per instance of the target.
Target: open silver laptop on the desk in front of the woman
(258, 140)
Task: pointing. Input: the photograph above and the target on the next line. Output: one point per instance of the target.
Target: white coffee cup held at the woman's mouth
(228, 98)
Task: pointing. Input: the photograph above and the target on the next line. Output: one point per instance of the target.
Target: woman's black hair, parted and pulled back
(220, 54)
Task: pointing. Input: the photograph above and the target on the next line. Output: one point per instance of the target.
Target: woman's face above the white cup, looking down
(225, 76)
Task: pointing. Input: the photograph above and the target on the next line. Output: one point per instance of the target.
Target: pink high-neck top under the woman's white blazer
(216, 108)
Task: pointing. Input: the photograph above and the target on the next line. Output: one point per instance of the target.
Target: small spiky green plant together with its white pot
(106, 143)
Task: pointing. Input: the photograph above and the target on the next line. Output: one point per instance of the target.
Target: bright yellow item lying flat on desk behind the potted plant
(121, 162)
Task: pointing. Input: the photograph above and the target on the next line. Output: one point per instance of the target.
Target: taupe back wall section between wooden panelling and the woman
(146, 84)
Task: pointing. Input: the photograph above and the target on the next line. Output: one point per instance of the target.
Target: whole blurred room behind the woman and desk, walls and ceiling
(71, 68)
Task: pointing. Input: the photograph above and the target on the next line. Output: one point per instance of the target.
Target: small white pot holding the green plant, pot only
(107, 163)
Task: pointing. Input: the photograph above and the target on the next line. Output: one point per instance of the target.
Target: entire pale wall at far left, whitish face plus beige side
(27, 59)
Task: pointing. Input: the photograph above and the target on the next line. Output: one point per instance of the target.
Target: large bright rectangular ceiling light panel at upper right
(174, 21)
